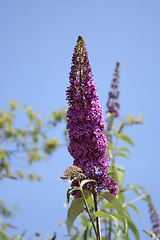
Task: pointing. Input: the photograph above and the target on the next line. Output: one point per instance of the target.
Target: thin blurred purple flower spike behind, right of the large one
(112, 104)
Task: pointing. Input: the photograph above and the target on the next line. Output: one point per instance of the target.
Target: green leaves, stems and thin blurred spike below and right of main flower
(114, 212)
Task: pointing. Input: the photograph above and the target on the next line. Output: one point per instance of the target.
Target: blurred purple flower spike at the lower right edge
(155, 220)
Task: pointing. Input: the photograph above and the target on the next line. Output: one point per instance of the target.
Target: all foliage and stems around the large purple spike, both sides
(100, 214)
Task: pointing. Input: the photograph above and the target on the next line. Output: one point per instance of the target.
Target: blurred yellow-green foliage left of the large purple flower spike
(31, 143)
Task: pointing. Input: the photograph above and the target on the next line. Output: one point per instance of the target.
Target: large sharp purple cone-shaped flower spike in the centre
(85, 122)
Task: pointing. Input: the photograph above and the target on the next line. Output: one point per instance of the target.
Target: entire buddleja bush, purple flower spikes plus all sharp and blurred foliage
(97, 194)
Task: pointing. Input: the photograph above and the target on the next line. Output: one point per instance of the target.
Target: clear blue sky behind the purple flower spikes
(36, 47)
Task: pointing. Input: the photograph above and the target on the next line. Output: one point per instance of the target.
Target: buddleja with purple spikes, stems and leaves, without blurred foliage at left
(97, 192)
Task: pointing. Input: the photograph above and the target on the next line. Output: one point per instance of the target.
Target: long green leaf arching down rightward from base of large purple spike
(117, 206)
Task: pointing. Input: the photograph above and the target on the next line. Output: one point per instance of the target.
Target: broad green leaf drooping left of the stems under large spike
(76, 208)
